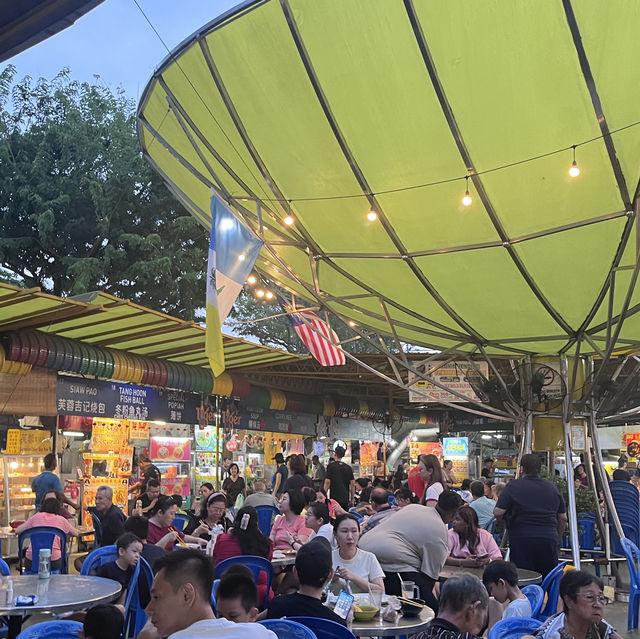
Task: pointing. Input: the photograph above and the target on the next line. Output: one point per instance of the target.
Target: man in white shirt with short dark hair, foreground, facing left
(180, 606)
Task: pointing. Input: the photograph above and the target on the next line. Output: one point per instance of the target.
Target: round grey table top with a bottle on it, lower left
(59, 592)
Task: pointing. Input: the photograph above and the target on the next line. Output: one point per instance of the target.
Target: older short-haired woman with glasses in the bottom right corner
(583, 602)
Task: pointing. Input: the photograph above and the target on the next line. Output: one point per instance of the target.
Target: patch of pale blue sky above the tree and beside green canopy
(115, 41)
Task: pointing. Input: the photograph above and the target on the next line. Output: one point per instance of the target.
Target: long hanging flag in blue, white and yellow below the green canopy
(233, 250)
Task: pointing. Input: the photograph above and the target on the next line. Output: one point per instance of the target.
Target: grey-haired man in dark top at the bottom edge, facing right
(463, 610)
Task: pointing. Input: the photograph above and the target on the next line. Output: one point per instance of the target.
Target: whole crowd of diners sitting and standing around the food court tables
(348, 534)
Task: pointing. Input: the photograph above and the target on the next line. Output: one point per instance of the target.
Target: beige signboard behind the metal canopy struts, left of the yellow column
(452, 375)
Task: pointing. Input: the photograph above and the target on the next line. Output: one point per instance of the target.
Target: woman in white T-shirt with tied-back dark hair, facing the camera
(359, 567)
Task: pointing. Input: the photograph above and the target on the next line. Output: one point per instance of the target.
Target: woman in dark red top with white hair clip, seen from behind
(245, 538)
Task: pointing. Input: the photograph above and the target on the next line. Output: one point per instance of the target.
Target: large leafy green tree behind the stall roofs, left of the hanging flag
(80, 209)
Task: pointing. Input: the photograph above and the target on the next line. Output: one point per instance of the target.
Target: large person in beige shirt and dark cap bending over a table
(414, 544)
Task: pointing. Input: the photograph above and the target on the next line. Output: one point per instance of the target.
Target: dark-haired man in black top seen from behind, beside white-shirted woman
(315, 569)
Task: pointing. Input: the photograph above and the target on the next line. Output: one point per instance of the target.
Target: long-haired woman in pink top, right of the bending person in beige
(469, 545)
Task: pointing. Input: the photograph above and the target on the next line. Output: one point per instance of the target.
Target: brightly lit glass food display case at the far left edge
(17, 500)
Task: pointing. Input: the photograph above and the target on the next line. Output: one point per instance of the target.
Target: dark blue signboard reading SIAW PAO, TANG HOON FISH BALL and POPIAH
(98, 398)
